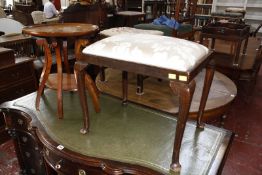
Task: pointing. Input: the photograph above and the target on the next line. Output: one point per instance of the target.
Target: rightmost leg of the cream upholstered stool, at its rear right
(207, 84)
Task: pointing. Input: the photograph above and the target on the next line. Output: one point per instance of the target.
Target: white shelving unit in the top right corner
(253, 9)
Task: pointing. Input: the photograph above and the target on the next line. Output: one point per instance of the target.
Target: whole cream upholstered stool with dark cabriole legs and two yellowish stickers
(173, 59)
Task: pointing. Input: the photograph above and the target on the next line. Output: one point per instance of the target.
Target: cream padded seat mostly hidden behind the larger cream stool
(128, 30)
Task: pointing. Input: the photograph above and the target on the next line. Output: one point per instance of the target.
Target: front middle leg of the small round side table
(59, 79)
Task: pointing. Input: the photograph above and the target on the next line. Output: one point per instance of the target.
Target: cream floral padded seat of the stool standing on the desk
(153, 50)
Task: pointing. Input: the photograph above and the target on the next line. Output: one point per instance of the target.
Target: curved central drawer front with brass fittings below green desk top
(66, 166)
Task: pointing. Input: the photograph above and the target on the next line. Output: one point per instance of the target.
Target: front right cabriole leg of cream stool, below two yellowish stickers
(185, 92)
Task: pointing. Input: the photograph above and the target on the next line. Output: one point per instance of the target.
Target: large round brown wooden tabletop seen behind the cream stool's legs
(158, 95)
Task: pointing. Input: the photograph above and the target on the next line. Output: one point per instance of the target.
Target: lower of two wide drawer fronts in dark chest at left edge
(18, 90)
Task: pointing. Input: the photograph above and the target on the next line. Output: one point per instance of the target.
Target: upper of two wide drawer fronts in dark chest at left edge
(16, 73)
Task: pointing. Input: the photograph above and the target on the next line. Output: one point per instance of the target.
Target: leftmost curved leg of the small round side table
(45, 73)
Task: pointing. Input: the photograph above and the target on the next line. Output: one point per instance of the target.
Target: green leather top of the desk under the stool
(131, 134)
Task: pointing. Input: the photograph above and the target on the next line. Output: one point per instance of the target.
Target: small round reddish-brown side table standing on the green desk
(55, 34)
